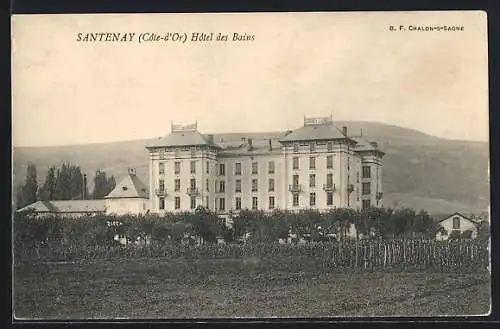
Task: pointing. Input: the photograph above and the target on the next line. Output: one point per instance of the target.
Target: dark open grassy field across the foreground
(164, 288)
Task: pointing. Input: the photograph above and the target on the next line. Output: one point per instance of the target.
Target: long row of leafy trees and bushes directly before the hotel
(248, 226)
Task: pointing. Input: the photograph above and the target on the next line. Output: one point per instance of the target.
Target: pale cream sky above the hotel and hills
(349, 65)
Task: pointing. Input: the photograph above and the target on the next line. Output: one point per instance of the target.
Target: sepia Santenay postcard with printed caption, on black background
(250, 165)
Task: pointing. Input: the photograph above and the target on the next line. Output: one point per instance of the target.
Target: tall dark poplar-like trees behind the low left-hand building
(66, 182)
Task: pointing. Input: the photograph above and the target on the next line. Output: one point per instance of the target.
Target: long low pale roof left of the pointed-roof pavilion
(66, 206)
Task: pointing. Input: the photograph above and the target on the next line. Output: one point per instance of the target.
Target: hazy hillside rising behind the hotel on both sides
(420, 171)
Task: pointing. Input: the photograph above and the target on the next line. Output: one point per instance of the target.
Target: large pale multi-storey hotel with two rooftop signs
(317, 166)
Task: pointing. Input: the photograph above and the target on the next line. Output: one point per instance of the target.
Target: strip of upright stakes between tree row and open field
(362, 255)
